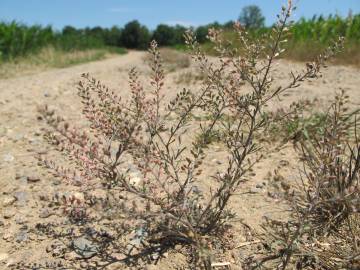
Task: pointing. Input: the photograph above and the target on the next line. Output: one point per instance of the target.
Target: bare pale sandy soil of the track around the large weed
(26, 188)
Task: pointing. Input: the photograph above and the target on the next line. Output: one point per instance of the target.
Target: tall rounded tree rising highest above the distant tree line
(251, 17)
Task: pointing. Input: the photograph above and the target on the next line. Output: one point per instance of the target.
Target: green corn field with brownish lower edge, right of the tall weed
(310, 37)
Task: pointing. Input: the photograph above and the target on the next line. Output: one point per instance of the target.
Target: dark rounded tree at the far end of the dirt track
(135, 36)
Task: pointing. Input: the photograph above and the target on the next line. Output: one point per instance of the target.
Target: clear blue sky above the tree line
(82, 13)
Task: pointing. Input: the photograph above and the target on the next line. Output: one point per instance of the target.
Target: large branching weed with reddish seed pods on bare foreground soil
(168, 205)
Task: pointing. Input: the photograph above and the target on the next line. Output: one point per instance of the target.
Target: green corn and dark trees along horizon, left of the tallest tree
(17, 39)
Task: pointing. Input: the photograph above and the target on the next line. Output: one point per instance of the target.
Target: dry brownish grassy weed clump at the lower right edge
(323, 229)
